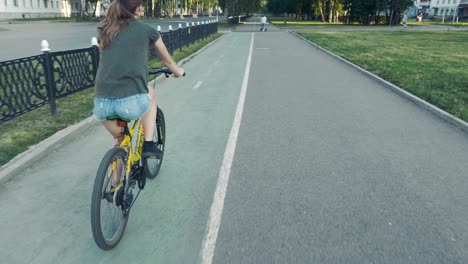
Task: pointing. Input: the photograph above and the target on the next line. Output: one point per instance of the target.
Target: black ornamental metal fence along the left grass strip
(29, 83)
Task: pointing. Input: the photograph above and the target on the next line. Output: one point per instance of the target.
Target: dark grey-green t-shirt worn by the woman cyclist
(123, 66)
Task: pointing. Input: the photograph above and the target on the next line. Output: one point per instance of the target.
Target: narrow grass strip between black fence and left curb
(31, 128)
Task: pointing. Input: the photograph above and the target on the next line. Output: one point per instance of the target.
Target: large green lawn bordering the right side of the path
(431, 65)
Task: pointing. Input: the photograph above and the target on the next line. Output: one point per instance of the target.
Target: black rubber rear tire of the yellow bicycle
(97, 199)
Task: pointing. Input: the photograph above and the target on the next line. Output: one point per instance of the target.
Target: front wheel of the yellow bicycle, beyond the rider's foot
(152, 166)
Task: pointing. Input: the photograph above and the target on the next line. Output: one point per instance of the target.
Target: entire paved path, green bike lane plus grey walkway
(329, 167)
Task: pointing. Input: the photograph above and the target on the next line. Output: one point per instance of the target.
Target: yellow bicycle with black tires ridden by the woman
(120, 171)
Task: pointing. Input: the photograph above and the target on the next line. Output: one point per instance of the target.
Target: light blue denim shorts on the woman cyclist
(131, 107)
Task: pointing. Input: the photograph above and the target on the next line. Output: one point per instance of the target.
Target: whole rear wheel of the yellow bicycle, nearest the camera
(108, 220)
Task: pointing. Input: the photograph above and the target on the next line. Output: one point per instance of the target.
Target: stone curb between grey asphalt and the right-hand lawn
(418, 101)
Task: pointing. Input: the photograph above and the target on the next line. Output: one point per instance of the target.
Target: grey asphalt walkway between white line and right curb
(330, 167)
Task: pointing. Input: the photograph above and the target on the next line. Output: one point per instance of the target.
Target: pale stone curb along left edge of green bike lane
(36, 152)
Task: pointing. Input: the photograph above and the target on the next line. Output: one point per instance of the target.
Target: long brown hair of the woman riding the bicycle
(118, 15)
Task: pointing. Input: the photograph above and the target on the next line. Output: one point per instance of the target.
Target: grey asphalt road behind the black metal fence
(24, 39)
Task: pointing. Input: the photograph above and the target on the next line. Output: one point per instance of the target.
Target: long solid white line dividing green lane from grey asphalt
(209, 242)
